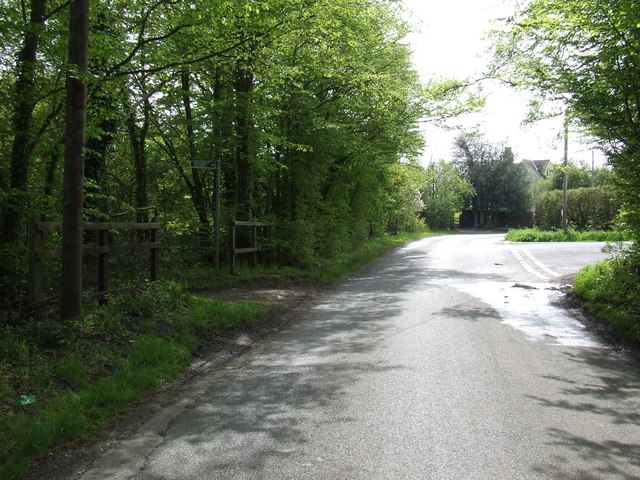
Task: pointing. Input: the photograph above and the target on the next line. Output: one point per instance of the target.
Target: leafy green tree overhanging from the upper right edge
(587, 54)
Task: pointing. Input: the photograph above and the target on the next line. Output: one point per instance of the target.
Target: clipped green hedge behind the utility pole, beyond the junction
(587, 209)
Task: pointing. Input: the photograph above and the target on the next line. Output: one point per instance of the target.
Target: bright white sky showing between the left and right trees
(449, 41)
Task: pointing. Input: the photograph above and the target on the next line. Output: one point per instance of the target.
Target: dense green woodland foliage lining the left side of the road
(311, 106)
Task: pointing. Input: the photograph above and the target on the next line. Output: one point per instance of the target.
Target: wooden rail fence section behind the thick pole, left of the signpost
(103, 250)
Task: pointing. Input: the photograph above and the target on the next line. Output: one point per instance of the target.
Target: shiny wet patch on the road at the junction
(527, 308)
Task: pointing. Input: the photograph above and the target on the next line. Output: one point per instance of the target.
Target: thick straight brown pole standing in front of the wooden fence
(75, 124)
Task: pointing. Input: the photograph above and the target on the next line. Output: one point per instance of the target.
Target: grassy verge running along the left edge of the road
(62, 383)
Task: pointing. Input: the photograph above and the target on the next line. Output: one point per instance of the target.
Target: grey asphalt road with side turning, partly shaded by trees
(448, 359)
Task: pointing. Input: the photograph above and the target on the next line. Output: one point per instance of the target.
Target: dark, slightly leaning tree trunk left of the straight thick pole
(22, 119)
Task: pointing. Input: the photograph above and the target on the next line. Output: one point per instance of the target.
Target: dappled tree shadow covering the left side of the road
(260, 411)
